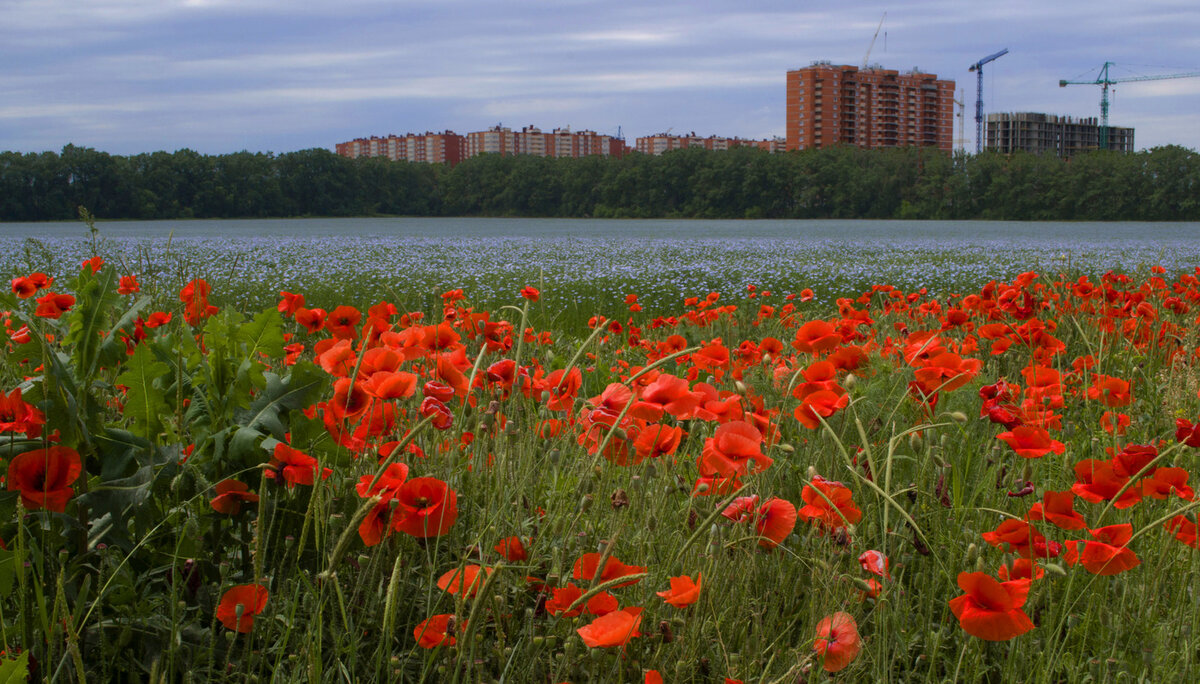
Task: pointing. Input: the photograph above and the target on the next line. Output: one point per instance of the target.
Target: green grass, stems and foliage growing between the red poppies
(103, 603)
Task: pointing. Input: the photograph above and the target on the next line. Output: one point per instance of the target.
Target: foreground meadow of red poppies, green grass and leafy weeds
(977, 482)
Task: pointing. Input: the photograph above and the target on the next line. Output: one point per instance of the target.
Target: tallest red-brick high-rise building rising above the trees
(832, 105)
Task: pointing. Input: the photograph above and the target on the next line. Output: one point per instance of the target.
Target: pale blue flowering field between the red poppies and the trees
(664, 260)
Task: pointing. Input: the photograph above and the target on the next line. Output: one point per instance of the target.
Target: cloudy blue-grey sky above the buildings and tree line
(223, 76)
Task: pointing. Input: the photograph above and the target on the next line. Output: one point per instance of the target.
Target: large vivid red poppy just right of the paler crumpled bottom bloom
(992, 610)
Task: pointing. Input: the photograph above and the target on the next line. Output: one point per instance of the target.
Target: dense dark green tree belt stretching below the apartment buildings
(842, 183)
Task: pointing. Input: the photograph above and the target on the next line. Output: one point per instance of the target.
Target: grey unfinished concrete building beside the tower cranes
(1048, 134)
